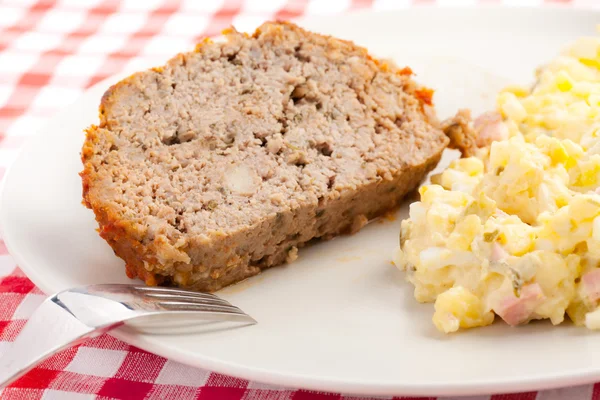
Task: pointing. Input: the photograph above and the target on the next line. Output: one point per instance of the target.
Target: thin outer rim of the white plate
(289, 381)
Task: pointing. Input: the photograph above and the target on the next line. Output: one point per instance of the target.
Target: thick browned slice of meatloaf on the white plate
(228, 159)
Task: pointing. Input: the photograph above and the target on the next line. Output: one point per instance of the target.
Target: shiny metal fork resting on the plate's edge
(72, 316)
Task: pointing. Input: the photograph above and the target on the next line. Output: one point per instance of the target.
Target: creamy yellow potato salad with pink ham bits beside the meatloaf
(513, 231)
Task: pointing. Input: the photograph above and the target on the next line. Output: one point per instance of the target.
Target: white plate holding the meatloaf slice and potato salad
(341, 318)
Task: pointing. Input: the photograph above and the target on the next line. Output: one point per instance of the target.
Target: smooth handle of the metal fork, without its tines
(49, 330)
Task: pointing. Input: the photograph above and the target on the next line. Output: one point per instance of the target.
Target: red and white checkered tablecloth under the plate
(50, 52)
